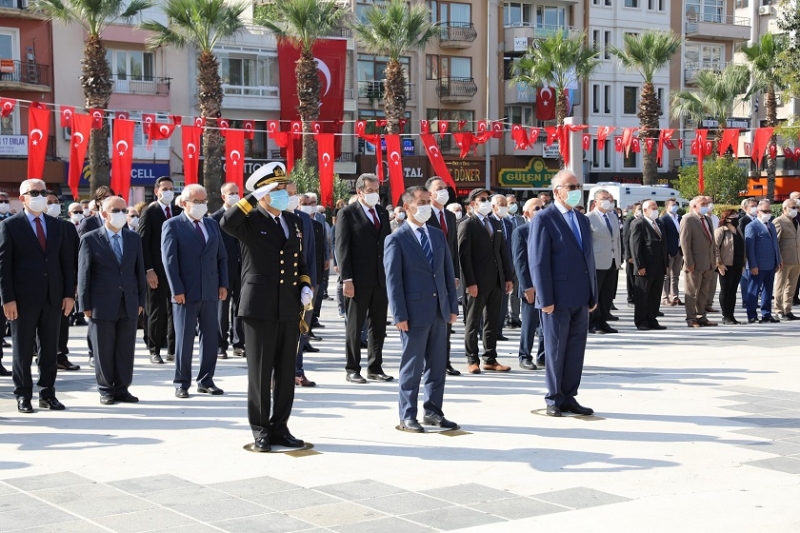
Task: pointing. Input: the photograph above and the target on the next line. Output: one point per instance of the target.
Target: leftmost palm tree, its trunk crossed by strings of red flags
(94, 16)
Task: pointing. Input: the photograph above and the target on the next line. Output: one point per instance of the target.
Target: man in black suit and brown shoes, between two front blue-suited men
(485, 272)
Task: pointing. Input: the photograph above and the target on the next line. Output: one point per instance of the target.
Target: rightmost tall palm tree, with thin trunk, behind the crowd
(764, 66)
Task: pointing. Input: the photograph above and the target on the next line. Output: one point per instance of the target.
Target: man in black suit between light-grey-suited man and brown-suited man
(649, 252)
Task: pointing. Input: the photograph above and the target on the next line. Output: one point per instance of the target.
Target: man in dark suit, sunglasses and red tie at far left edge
(37, 286)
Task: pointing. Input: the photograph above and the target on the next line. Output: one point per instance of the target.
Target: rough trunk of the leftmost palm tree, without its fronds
(97, 87)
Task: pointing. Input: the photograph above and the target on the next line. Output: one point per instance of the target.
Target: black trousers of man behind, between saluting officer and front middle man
(370, 303)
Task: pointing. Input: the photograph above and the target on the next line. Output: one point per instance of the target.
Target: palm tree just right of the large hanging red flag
(392, 30)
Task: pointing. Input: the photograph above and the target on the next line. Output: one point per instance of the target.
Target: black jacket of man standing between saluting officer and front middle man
(359, 246)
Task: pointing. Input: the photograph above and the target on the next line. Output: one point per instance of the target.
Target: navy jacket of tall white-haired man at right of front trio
(563, 274)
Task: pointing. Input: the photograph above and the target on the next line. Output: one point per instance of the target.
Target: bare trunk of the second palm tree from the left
(210, 97)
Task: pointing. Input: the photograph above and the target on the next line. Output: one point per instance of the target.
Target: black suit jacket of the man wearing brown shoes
(484, 261)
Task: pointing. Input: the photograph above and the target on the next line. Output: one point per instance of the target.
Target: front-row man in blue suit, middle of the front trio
(420, 282)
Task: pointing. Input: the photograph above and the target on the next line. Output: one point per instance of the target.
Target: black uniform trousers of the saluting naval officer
(270, 346)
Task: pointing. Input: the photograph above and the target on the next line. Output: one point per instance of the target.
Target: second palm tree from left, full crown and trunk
(202, 24)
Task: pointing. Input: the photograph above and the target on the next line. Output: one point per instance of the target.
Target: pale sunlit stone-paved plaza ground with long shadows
(695, 430)
